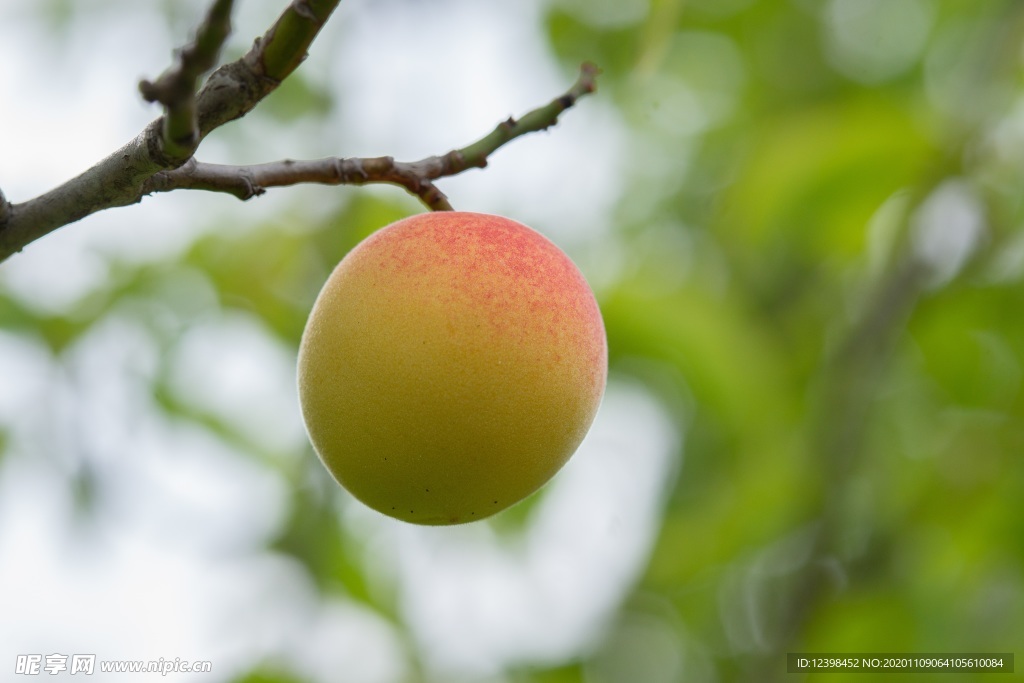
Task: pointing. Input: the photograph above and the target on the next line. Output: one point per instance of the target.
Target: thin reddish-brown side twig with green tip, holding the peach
(417, 178)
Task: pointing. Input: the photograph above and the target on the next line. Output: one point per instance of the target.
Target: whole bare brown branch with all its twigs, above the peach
(160, 159)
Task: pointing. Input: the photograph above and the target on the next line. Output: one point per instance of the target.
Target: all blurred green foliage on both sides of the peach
(850, 365)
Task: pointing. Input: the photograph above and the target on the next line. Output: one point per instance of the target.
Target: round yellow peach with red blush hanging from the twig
(452, 364)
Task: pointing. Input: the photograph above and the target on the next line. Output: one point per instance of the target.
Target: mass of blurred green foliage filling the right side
(907, 538)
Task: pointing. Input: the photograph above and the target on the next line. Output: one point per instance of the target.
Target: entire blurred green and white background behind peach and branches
(802, 220)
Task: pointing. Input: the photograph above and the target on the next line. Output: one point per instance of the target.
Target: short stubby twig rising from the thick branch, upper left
(176, 90)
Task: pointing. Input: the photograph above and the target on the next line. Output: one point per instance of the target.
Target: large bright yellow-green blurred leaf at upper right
(814, 178)
